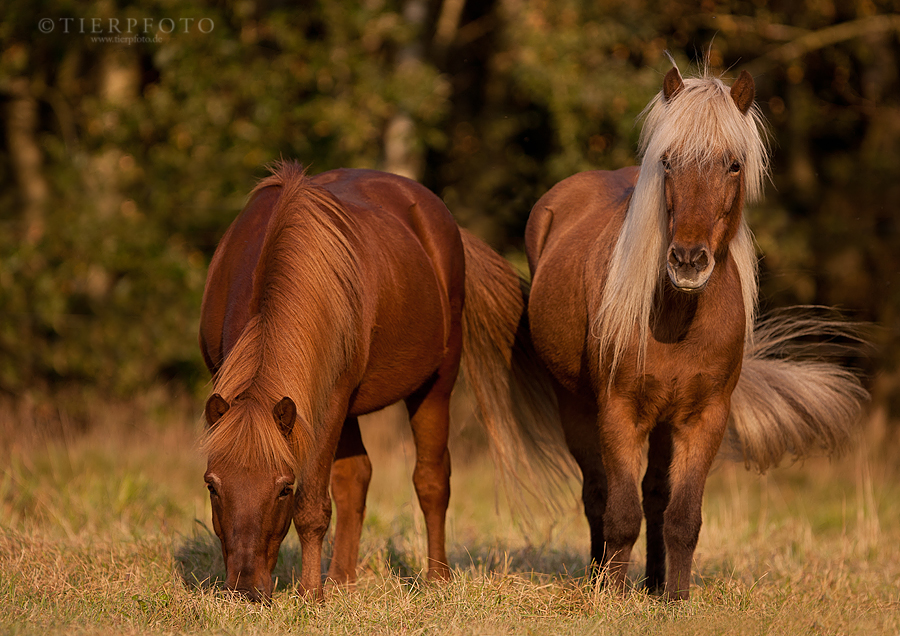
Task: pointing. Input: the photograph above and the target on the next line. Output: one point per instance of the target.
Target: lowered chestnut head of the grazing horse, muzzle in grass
(252, 501)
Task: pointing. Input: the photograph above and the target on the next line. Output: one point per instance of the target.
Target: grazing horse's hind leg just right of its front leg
(350, 476)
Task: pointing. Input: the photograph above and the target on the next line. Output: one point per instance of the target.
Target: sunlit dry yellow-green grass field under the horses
(106, 531)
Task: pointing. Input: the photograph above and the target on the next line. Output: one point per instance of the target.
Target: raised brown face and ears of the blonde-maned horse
(704, 190)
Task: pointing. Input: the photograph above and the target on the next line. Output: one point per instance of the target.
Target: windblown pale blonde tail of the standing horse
(792, 397)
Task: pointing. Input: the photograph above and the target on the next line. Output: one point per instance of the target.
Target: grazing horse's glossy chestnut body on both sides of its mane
(410, 261)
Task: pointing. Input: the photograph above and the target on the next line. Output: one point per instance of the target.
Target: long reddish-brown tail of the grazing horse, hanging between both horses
(512, 388)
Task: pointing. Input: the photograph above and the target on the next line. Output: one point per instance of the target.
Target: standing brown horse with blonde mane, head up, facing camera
(643, 305)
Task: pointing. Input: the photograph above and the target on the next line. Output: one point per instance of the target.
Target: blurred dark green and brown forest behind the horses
(132, 132)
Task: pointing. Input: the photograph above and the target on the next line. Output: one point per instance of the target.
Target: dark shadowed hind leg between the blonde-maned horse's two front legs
(656, 492)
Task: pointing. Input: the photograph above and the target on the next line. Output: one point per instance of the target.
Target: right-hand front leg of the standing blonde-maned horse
(694, 446)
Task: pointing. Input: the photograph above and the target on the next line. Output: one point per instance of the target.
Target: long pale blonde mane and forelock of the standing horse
(700, 124)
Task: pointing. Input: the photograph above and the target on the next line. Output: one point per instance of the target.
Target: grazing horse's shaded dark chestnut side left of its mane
(227, 297)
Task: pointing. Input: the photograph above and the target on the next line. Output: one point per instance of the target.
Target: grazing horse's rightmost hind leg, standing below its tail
(429, 412)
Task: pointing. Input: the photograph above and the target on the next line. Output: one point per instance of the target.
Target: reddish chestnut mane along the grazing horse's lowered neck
(301, 340)
